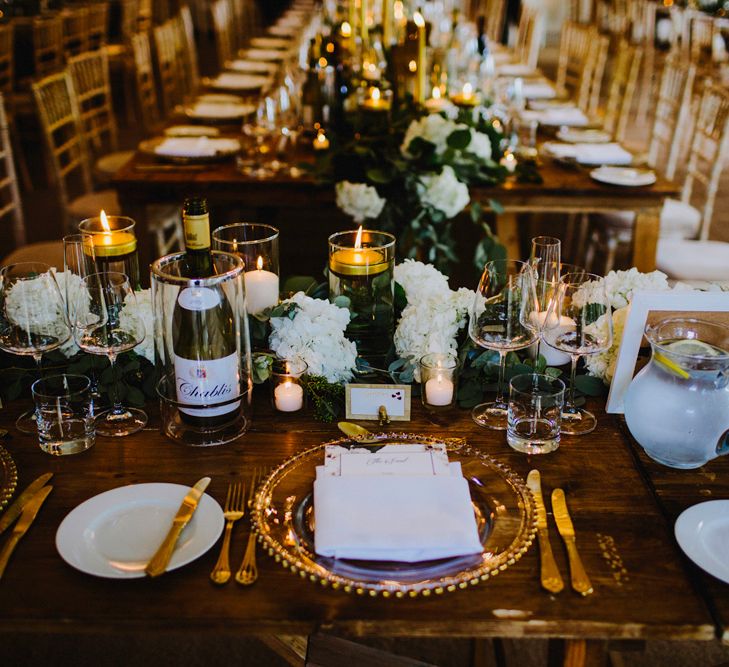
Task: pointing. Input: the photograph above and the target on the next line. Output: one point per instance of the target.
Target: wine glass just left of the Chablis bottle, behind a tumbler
(105, 322)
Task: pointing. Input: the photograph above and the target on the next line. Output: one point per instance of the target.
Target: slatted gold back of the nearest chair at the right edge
(709, 151)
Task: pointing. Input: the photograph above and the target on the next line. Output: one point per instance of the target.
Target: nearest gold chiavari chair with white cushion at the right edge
(700, 258)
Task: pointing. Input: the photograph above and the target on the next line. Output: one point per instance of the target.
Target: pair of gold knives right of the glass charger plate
(550, 576)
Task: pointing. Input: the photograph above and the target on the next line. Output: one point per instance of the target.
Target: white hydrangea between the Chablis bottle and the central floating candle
(316, 336)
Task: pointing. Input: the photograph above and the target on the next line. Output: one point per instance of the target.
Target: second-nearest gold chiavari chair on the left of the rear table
(60, 122)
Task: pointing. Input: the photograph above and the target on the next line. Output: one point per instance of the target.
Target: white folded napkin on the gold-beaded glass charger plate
(394, 518)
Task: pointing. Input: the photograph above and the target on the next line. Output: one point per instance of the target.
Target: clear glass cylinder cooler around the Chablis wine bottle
(202, 351)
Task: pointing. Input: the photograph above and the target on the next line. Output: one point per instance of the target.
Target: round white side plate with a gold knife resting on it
(114, 534)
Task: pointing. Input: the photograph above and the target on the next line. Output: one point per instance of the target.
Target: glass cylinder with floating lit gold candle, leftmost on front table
(110, 241)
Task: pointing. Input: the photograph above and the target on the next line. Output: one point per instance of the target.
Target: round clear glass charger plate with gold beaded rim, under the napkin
(283, 517)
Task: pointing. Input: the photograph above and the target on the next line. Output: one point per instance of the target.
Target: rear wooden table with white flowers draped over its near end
(306, 214)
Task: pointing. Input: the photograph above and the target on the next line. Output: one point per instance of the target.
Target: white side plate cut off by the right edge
(702, 532)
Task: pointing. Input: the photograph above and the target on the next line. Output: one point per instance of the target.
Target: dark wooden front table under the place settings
(622, 507)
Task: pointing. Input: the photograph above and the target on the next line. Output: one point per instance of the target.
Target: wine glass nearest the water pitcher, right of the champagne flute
(579, 322)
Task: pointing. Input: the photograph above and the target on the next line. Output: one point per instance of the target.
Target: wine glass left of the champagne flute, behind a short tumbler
(503, 319)
